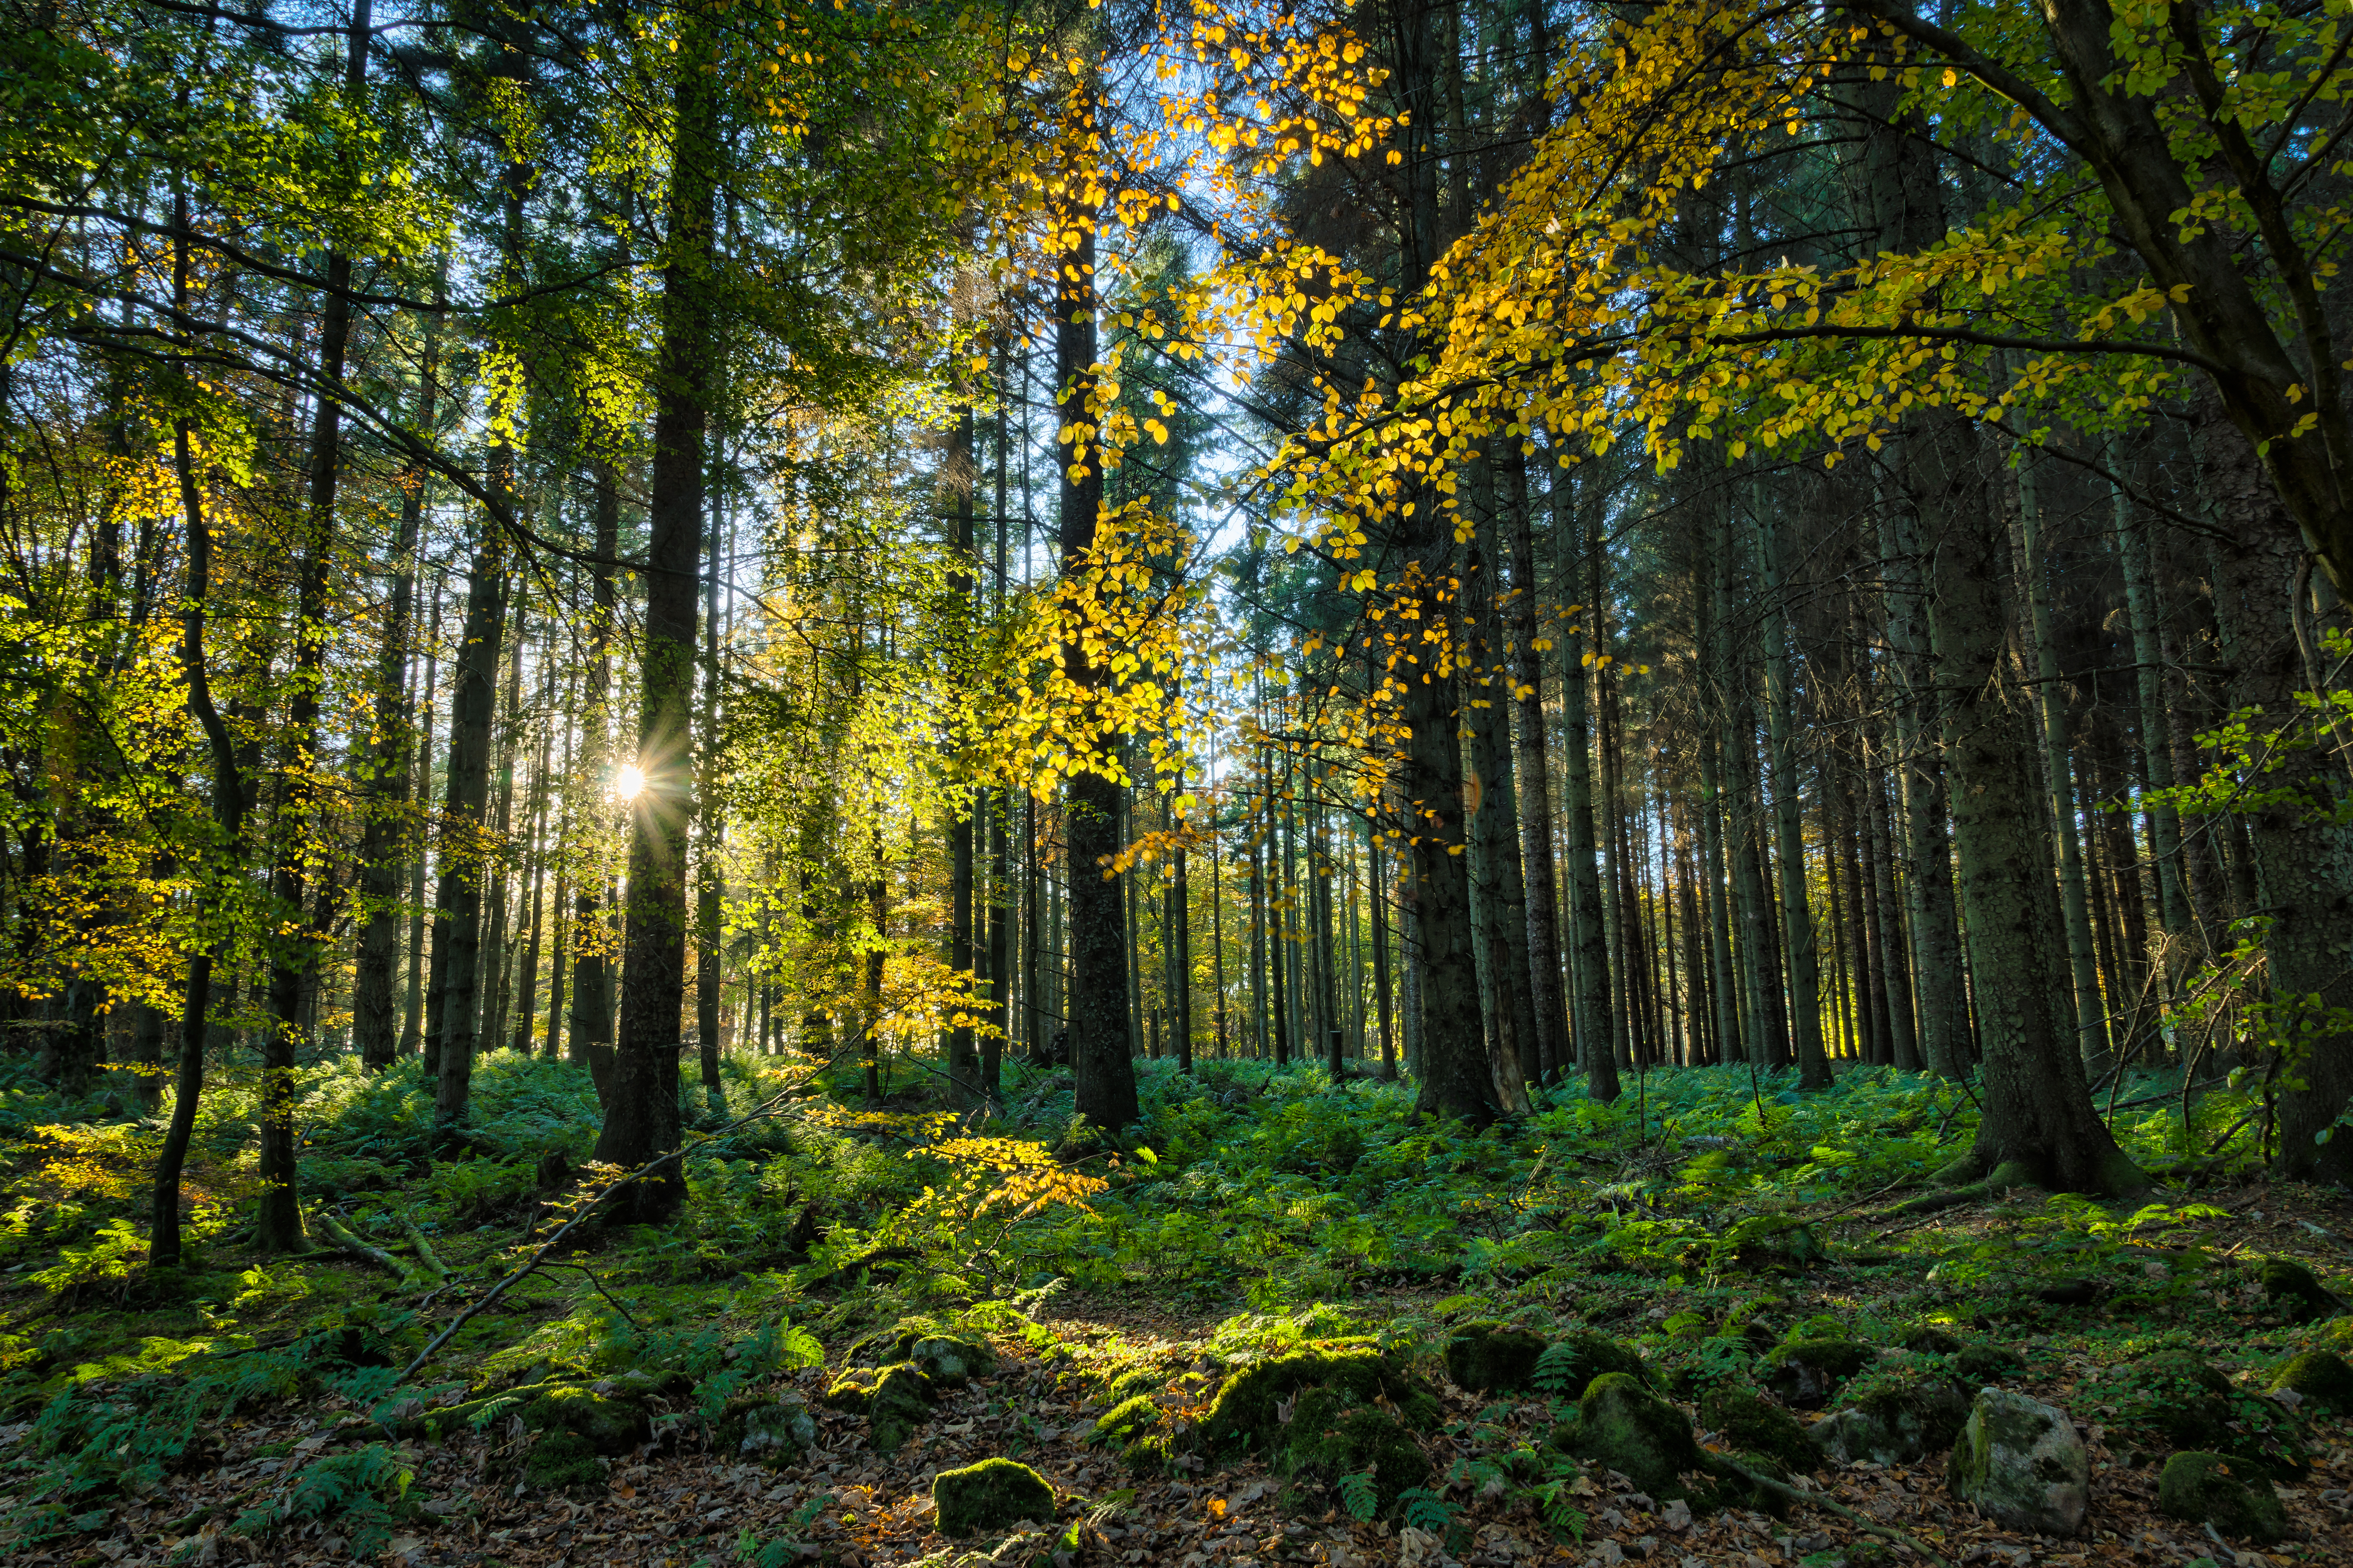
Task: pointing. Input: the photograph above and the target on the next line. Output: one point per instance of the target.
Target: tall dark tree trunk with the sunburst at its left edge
(641, 1118)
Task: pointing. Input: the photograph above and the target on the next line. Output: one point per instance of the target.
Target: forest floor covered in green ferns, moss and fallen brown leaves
(251, 1409)
